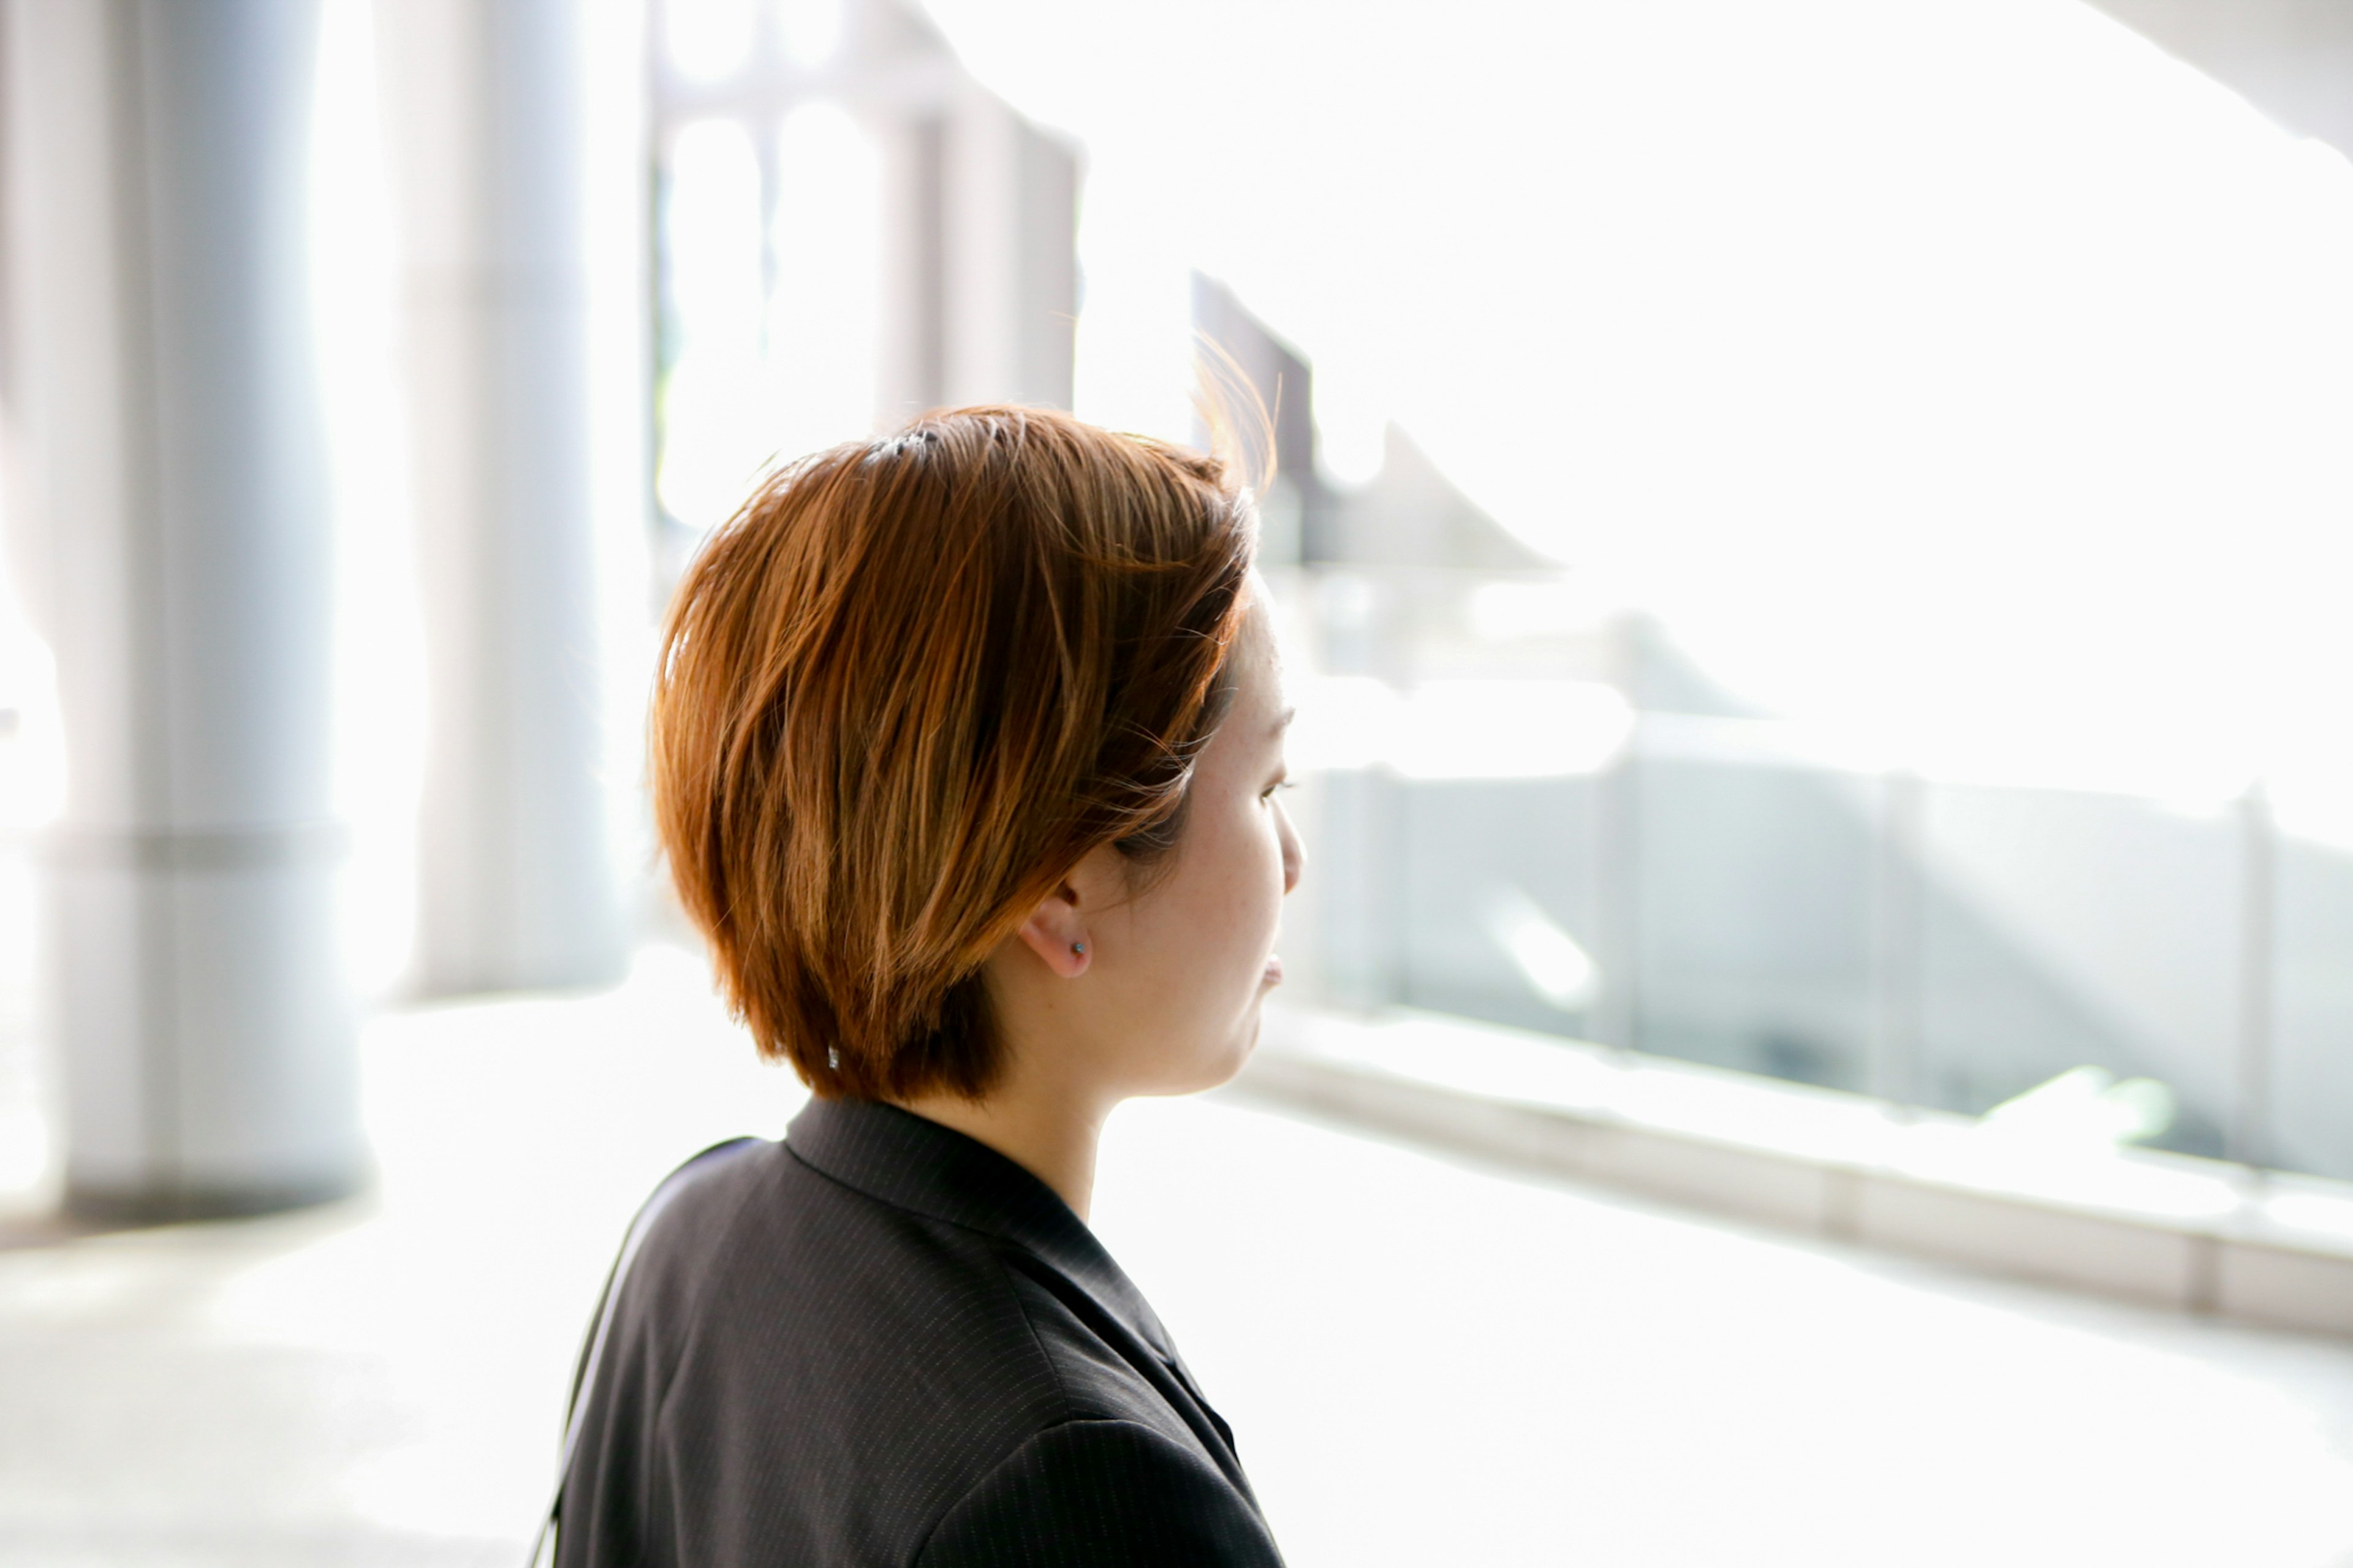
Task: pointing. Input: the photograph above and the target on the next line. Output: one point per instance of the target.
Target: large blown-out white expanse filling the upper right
(2020, 432)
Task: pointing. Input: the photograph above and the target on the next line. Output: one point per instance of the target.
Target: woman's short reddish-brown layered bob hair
(905, 691)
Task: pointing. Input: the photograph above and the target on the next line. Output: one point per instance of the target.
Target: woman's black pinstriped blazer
(884, 1343)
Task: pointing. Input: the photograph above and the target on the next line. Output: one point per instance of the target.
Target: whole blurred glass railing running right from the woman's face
(1528, 809)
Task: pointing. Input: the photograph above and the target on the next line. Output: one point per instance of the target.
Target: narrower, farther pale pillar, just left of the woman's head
(516, 882)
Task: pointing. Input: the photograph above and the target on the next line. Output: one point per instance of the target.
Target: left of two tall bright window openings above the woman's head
(719, 413)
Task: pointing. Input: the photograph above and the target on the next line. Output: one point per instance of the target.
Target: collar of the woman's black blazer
(947, 1176)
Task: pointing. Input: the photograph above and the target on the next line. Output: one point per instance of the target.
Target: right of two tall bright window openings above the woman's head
(825, 319)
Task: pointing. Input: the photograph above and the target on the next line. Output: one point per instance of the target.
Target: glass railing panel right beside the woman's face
(1455, 733)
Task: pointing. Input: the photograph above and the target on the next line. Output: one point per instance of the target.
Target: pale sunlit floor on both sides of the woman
(1425, 1362)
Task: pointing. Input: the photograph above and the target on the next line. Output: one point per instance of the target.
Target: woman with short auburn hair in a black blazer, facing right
(966, 755)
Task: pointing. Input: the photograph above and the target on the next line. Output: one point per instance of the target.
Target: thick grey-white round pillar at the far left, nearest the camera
(166, 432)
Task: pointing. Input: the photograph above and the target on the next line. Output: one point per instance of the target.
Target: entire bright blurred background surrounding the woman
(1813, 550)
